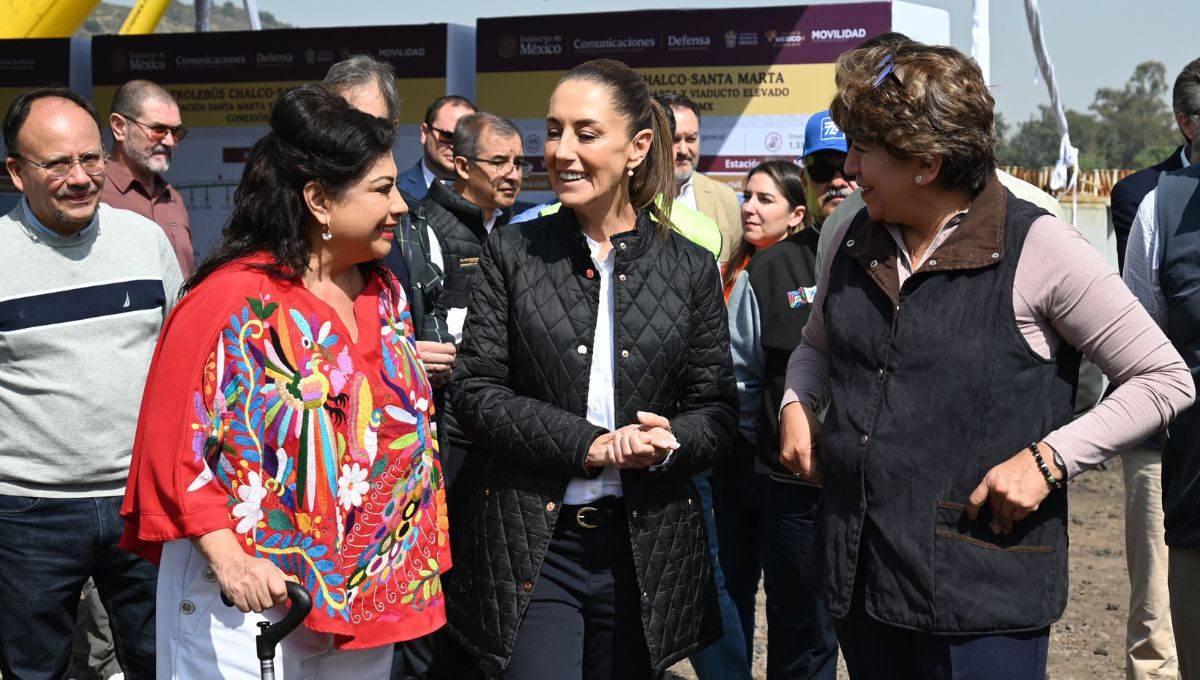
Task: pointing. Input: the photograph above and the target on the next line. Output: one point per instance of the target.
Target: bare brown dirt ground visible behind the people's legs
(1089, 642)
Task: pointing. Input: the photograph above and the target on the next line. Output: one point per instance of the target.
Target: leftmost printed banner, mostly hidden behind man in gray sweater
(25, 65)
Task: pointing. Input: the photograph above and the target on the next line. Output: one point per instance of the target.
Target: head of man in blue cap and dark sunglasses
(826, 184)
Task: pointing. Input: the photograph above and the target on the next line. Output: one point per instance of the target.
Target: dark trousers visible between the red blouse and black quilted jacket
(439, 655)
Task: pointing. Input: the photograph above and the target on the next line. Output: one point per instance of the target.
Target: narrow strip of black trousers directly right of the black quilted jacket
(740, 506)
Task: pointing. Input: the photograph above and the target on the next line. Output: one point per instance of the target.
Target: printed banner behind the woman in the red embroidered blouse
(226, 85)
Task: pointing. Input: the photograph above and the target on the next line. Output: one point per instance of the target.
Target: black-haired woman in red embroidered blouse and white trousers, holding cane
(286, 429)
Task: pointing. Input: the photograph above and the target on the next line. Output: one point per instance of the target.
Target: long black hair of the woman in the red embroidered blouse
(316, 136)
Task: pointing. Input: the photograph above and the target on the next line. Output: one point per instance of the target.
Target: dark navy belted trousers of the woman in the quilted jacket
(585, 621)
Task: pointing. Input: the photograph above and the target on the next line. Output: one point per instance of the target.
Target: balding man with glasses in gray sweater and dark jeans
(85, 291)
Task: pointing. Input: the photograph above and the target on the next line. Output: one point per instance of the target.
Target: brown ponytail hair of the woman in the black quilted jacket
(652, 188)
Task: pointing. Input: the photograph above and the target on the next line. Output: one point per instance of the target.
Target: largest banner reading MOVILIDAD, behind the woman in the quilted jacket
(757, 74)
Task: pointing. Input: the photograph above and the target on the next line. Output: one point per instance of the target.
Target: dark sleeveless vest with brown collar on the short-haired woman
(932, 387)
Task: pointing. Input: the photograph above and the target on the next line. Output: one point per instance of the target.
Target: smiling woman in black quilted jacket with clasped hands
(596, 371)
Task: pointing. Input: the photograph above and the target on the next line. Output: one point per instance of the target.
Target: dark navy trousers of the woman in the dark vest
(879, 652)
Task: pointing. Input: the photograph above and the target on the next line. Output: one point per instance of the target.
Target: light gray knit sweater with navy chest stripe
(80, 317)
